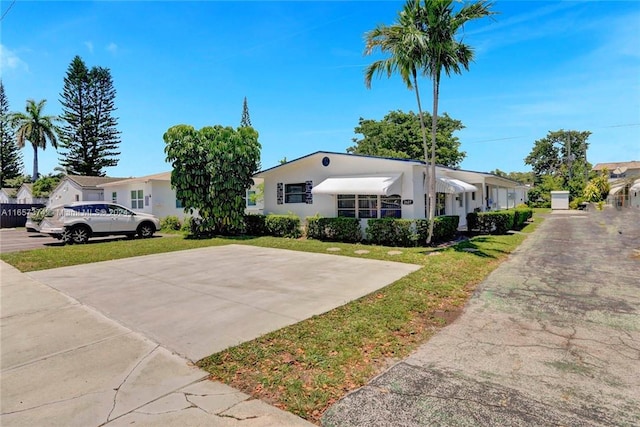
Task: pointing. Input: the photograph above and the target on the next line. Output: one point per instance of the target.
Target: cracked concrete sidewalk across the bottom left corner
(64, 364)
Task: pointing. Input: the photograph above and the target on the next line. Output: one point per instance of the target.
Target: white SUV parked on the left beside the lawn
(77, 222)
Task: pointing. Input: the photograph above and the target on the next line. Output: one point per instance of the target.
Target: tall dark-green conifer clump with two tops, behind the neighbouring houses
(90, 138)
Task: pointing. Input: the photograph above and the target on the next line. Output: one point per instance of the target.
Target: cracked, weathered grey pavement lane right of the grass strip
(551, 337)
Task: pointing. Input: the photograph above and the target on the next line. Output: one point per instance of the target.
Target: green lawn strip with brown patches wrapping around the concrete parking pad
(306, 367)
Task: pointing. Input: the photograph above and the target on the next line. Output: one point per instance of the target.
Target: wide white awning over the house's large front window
(379, 185)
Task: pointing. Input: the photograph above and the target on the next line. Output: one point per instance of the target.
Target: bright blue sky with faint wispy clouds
(539, 66)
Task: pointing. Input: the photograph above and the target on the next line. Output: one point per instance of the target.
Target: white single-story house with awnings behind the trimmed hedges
(340, 184)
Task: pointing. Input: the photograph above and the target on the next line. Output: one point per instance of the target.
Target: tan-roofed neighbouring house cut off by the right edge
(624, 180)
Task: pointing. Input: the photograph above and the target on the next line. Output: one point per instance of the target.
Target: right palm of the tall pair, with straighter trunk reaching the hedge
(440, 24)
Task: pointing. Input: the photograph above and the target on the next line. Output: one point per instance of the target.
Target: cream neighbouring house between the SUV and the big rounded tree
(150, 194)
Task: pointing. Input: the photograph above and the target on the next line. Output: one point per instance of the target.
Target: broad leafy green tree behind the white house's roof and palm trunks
(398, 135)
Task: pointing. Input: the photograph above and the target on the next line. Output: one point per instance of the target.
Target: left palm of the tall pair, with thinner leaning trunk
(406, 46)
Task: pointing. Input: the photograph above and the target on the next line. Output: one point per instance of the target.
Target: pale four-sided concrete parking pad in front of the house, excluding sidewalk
(201, 301)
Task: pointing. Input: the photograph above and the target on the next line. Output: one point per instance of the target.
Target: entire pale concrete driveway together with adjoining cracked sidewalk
(100, 344)
